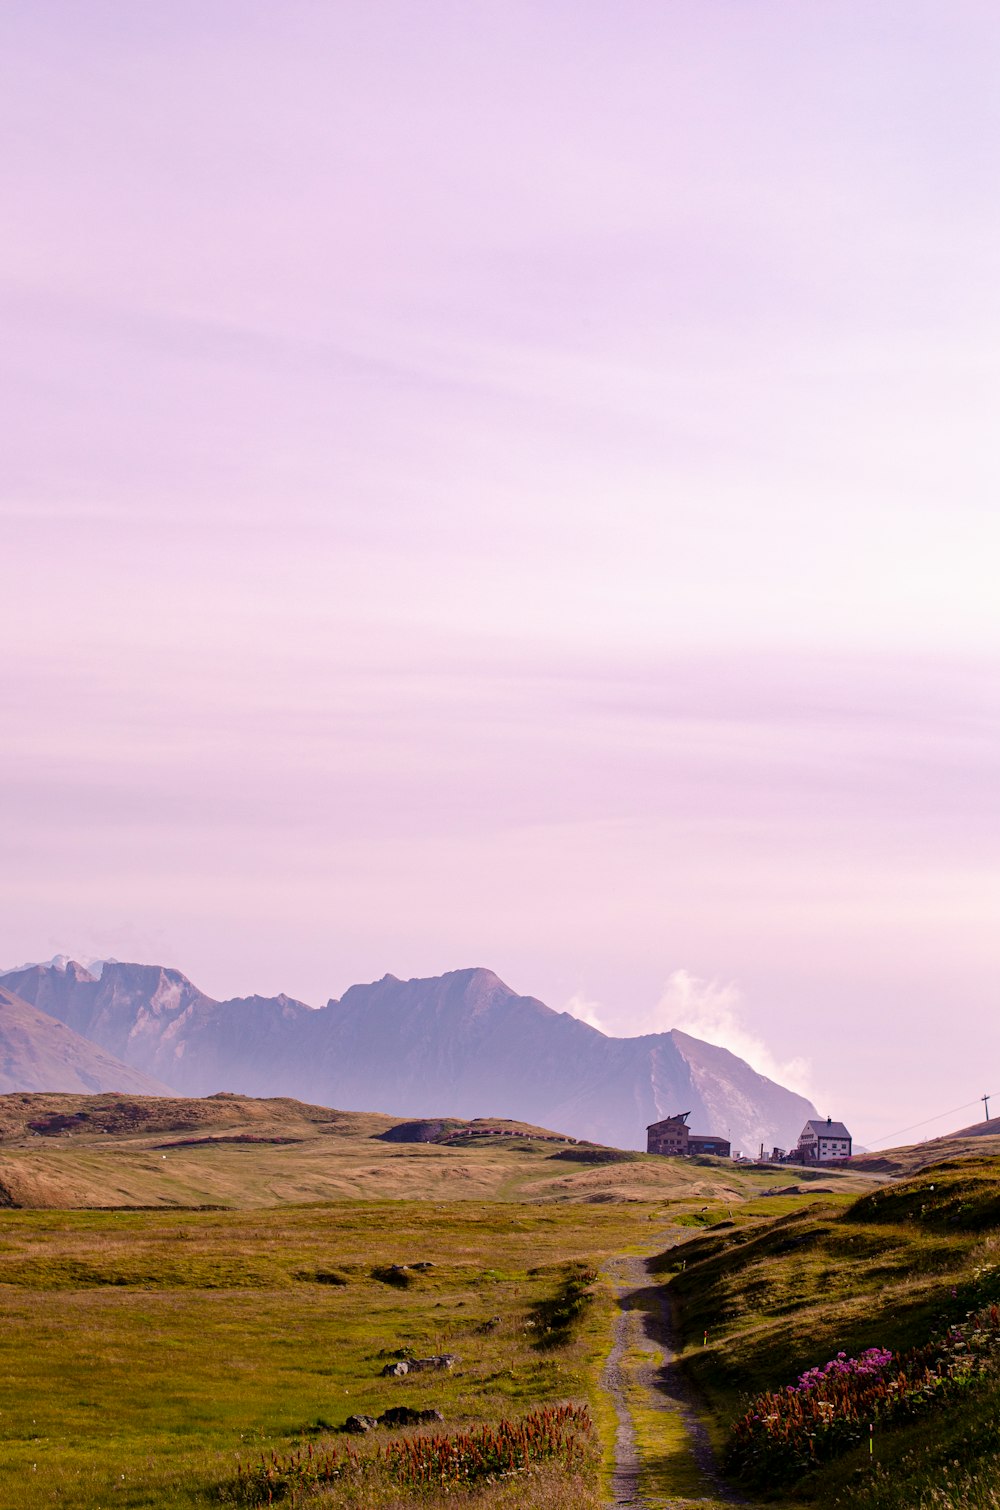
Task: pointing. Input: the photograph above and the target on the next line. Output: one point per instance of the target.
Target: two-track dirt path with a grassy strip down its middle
(643, 1379)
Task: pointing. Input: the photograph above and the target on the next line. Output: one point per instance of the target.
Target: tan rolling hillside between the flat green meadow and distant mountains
(235, 1151)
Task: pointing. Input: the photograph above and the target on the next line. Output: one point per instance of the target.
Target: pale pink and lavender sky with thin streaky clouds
(514, 485)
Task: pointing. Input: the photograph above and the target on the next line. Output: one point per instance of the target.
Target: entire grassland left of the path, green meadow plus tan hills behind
(253, 1304)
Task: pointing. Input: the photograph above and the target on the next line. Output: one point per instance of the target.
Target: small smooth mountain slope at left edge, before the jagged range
(40, 1053)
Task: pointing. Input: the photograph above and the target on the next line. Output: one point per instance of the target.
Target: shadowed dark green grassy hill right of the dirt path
(915, 1269)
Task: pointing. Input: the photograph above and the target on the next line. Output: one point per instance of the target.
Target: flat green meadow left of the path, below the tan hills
(144, 1352)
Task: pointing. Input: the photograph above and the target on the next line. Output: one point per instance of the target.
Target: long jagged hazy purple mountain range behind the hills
(460, 1044)
